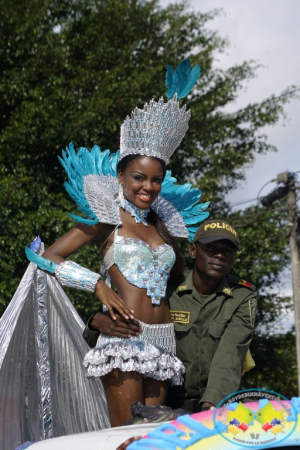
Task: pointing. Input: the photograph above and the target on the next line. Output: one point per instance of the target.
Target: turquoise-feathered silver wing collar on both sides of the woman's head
(94, 186)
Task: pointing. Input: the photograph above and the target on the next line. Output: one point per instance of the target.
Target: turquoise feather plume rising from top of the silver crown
(181, 80)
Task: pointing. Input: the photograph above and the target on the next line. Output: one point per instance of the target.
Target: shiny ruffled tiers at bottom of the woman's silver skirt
(139, 356)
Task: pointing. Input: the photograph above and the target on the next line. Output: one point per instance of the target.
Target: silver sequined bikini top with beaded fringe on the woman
(141, 265)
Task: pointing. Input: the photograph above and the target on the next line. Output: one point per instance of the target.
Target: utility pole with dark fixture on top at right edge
(289, 189)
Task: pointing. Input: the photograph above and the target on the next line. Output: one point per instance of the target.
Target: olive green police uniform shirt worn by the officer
(213, 334)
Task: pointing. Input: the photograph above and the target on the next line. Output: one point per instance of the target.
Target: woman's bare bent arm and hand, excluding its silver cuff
(72, 242)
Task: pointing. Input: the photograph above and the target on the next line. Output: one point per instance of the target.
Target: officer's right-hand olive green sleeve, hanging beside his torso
(227, 364)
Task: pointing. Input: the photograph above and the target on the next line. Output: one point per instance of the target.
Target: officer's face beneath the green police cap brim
(213, 260)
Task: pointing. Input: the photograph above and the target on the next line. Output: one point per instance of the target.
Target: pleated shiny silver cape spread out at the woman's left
(43, 388)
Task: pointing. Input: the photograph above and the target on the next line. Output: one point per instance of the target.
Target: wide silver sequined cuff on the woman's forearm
(71, 274)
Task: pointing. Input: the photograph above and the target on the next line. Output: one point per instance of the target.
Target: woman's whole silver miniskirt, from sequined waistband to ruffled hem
(151, 353)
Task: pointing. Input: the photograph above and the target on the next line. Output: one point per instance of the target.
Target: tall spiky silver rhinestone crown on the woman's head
(156, 130)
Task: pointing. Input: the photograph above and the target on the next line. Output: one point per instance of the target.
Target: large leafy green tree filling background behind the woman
(72, 71)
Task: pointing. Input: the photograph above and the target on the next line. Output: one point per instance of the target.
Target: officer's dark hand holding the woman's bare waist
(120, 327)
